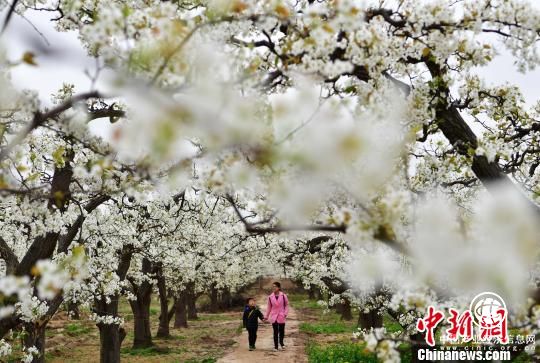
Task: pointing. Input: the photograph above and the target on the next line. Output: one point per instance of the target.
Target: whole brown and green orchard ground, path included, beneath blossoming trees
(314, 334)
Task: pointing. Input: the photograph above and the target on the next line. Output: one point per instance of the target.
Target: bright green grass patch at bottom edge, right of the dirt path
(339, 353)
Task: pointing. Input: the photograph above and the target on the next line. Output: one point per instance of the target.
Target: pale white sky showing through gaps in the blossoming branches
(75, 66)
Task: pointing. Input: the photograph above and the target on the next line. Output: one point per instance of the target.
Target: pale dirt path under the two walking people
(294, 346)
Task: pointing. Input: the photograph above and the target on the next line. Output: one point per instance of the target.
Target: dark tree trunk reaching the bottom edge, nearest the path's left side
(110, 335)
